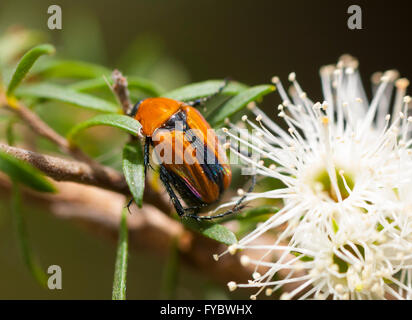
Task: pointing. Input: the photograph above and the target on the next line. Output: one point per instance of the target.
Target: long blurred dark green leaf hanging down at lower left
(27, 255)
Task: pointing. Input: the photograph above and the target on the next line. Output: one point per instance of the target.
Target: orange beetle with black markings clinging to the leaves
(191, 159)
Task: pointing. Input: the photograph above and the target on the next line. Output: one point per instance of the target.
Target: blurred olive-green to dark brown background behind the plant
(173, 43)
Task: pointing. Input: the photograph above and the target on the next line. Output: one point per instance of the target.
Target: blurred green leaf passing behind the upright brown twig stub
(137, 83)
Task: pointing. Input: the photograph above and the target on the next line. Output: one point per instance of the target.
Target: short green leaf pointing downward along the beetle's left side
(133, 169)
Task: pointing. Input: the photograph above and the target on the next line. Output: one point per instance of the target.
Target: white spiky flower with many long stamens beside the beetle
(346, 166)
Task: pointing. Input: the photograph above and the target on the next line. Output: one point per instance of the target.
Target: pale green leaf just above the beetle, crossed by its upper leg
(203, 89)
